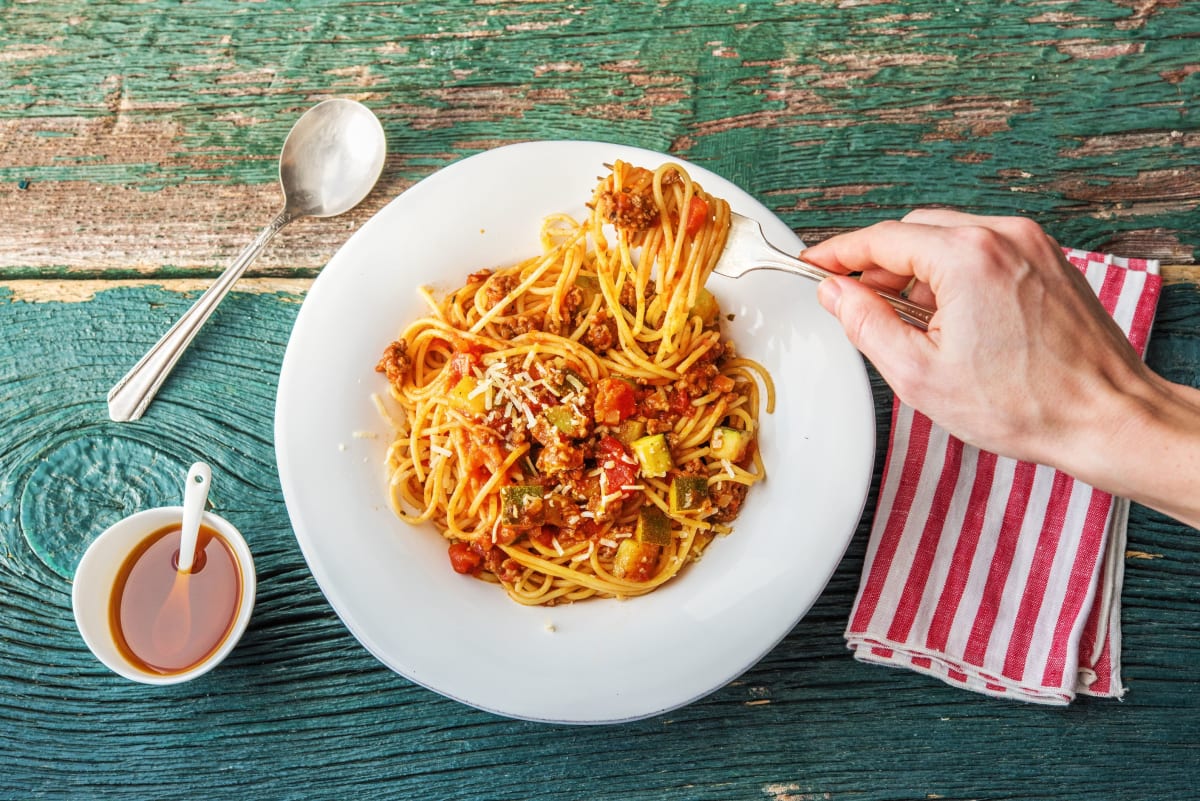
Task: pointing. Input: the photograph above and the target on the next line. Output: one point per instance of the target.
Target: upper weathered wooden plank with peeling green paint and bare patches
(837, 115)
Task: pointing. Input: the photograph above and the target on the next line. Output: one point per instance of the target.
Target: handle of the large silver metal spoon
(130, 398)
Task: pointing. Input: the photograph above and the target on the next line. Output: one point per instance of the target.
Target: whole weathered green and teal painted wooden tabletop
(137, 158)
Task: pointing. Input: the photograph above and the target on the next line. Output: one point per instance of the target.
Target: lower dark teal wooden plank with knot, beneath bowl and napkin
(302, 712)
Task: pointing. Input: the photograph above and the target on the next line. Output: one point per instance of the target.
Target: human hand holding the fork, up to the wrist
(1021, 358)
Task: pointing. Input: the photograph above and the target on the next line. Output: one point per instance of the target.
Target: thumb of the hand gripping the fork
(872, 326)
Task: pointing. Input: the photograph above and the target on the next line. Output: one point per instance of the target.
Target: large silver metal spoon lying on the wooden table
(331, 161)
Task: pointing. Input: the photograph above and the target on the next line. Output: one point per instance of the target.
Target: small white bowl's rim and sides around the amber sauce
(97, 575)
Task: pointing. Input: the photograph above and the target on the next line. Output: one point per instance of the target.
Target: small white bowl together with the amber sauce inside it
(125, 579)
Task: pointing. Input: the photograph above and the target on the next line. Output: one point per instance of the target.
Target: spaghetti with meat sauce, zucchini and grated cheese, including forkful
(577, 425)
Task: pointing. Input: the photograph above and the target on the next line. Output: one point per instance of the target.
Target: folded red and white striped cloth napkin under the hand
(997, 575)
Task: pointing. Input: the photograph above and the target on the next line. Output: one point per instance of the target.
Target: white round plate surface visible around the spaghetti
(598, 661)
